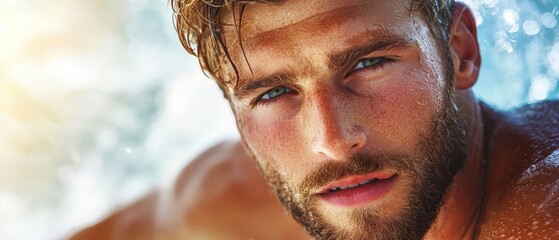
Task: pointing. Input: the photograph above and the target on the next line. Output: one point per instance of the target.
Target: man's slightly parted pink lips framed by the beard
(357, 190)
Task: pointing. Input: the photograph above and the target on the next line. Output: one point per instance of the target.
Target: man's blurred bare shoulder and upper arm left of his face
(219, 195)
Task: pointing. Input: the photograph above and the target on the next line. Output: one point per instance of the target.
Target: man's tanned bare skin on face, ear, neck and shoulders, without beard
(512, 167)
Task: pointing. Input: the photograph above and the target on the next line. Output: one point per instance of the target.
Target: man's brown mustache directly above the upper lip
(357, 164)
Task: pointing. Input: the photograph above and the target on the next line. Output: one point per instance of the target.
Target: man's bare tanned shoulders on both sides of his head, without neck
(221, 195)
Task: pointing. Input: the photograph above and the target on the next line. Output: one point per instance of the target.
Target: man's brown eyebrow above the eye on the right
(345, 57)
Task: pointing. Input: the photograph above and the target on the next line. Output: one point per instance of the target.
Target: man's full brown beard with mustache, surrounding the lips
(437, 157)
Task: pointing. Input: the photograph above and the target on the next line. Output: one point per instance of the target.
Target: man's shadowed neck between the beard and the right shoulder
(462, 211)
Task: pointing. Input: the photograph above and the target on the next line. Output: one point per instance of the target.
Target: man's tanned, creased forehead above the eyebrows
(271, 29)
